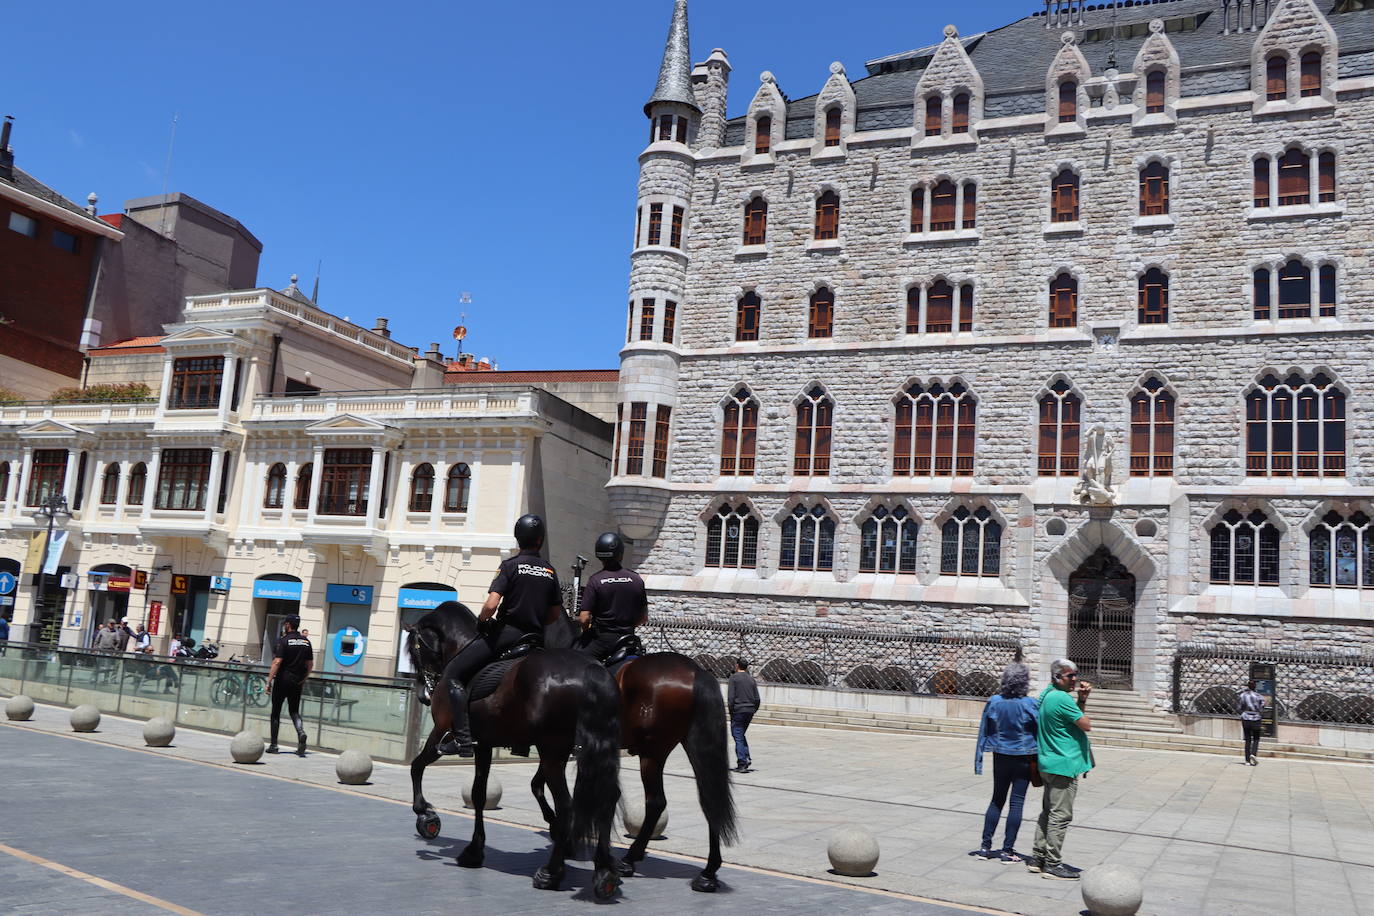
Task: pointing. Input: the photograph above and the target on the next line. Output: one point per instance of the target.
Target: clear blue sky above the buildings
(420, 150)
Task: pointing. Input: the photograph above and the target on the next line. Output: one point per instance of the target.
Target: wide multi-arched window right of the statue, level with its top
(1295, 428)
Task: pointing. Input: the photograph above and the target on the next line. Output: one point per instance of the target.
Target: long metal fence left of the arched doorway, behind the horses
(840, 657)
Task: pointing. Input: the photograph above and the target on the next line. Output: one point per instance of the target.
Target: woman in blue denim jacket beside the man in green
(1009, 729)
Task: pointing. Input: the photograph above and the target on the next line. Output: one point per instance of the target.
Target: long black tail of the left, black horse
(597, 789)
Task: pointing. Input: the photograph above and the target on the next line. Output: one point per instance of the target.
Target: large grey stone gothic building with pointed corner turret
(873, 332)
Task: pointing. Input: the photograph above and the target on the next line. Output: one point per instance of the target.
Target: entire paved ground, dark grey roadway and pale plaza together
(1210, 834)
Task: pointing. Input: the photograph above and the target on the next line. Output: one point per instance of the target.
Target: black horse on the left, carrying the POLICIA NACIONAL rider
(552, 700)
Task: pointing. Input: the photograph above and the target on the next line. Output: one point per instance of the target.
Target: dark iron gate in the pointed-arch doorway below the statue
(1103, 620)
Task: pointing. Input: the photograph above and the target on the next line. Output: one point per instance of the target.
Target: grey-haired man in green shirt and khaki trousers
(1064, 757)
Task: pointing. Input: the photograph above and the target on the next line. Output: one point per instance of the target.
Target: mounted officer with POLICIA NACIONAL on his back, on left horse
(524, 598)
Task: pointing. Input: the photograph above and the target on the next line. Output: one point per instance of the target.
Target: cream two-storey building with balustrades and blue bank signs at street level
(321, 468)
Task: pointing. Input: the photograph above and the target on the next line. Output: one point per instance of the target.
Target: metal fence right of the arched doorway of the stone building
(1310, 689)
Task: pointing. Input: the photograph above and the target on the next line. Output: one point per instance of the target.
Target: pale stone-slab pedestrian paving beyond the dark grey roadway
(1210, 834)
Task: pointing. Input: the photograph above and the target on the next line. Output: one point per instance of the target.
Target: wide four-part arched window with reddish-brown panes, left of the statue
(935, 432)
